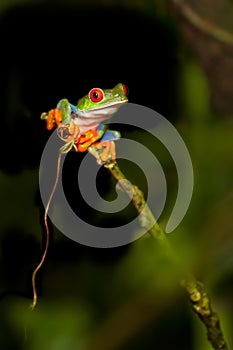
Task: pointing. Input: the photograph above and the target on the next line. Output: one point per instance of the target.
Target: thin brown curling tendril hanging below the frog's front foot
(47, 233)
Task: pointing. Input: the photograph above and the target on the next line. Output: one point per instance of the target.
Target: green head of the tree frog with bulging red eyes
(99, 99)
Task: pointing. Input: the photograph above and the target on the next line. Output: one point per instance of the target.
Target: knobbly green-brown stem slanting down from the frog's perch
(197, 294)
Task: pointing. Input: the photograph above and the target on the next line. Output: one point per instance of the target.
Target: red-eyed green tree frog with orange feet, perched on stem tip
(81, 126)
